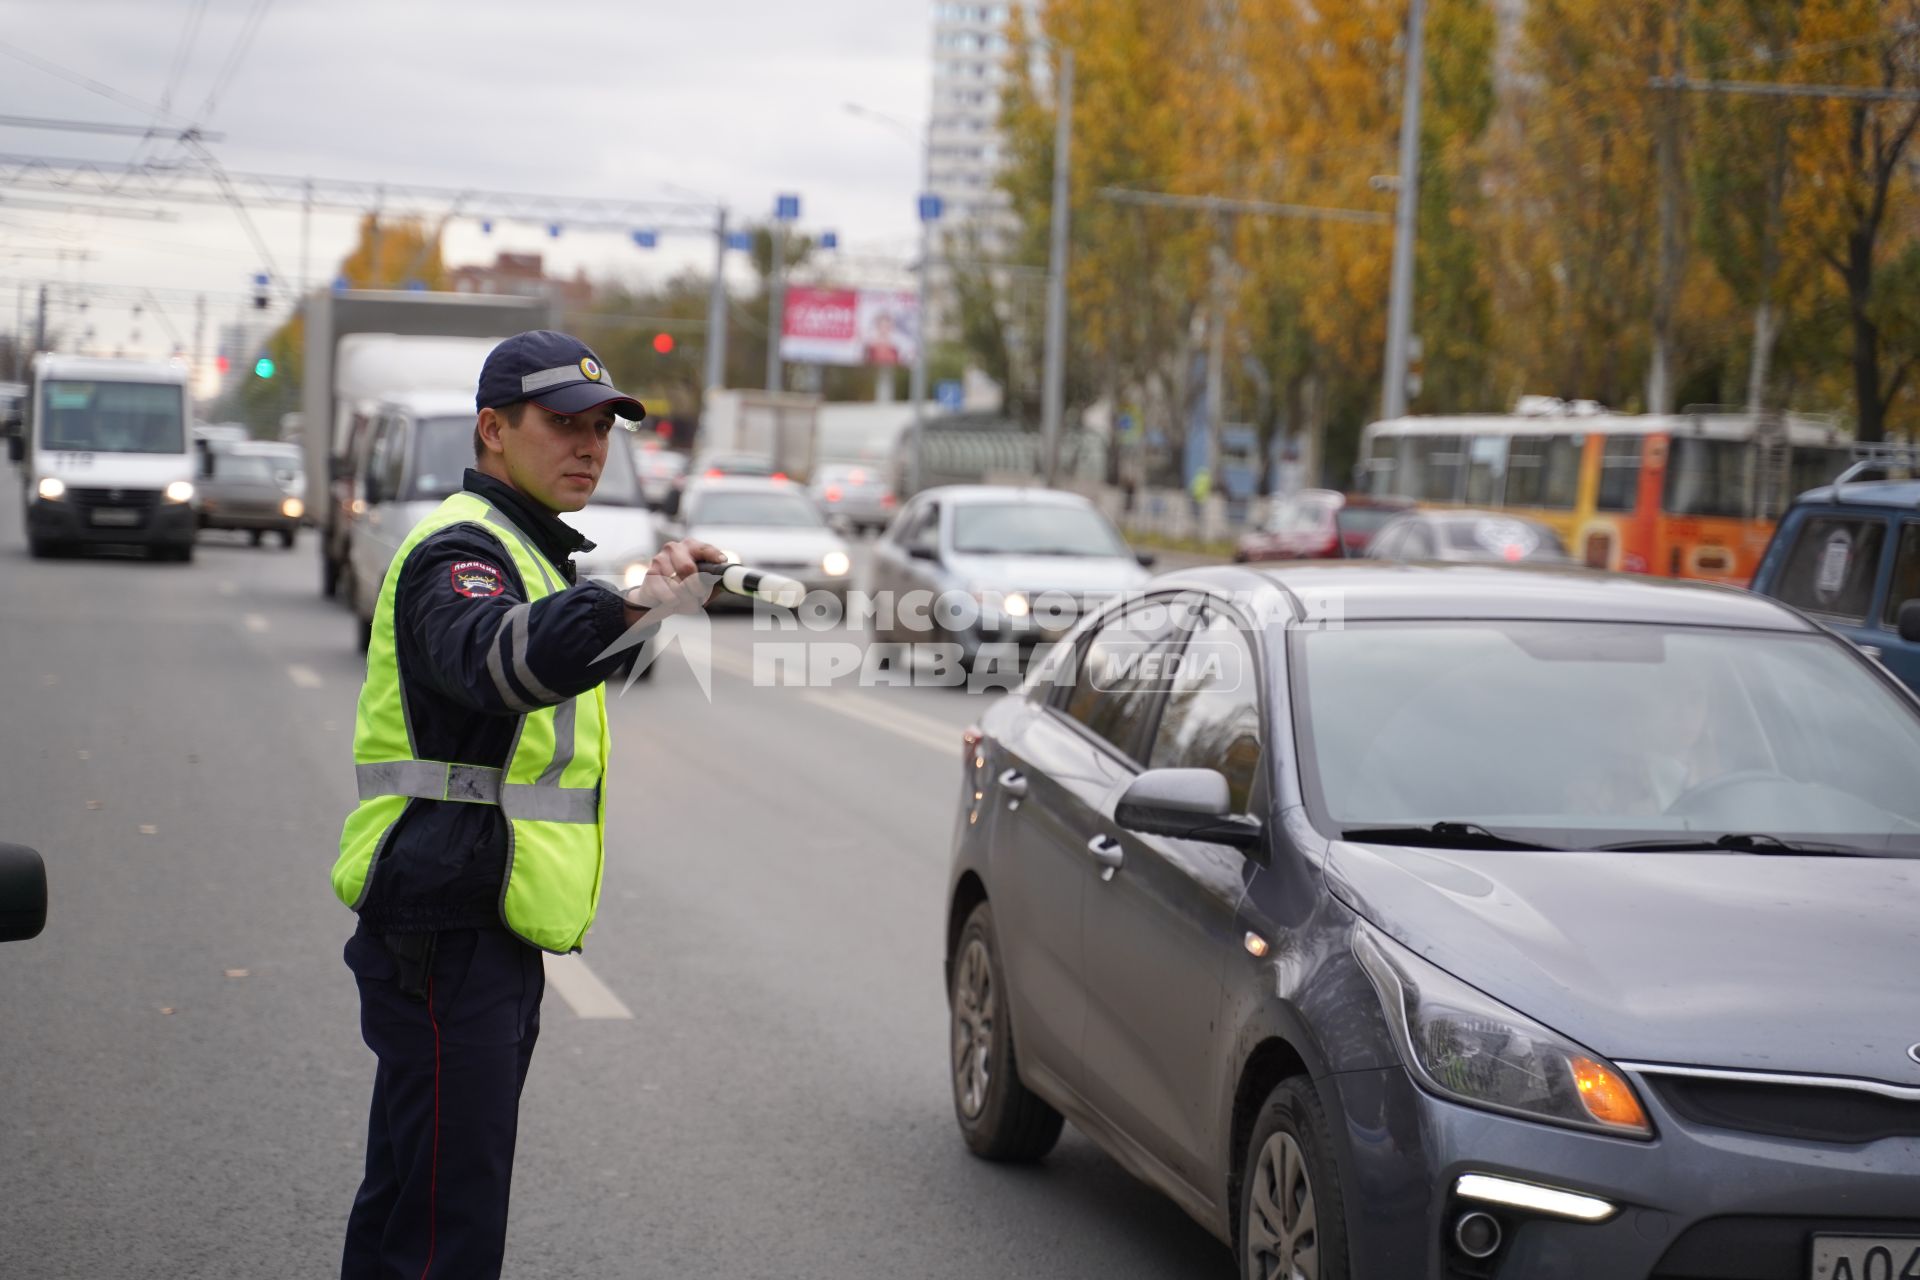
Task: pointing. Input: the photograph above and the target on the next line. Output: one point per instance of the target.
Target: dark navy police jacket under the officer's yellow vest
(444, 863)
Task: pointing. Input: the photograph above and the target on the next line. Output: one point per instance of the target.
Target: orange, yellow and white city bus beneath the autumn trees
(1681, 496)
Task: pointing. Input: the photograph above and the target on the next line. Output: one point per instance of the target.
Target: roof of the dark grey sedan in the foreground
(1380, 590)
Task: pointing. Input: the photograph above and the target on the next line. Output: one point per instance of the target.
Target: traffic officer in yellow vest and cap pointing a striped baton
(481, 751)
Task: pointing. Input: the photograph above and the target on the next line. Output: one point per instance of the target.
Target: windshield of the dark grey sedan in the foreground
(1583, 734)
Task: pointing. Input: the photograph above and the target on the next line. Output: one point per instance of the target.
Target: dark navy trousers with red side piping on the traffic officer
(446, 1104)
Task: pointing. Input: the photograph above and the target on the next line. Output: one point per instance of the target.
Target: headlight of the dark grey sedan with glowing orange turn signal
(1464, 1045)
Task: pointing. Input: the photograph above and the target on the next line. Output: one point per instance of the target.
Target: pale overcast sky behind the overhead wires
(613, 99)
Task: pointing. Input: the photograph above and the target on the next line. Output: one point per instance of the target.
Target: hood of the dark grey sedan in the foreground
(1750, 962)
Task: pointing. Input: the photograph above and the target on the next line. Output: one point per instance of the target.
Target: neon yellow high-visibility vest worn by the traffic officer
(552, 790)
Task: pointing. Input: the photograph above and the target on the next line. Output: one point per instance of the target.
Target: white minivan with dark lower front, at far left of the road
(107, 456)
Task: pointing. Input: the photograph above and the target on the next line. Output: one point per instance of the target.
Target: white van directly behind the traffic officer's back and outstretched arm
(420, 456)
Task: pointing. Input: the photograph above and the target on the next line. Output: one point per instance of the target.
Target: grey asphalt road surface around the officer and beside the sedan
(757, 1087)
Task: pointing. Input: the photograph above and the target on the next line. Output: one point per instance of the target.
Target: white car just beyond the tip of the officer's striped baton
(769, 525)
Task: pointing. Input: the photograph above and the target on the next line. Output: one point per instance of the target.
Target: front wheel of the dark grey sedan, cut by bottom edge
(1293, 1212)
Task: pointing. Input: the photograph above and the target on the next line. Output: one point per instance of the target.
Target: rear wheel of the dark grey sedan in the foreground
(1001, 1120)
